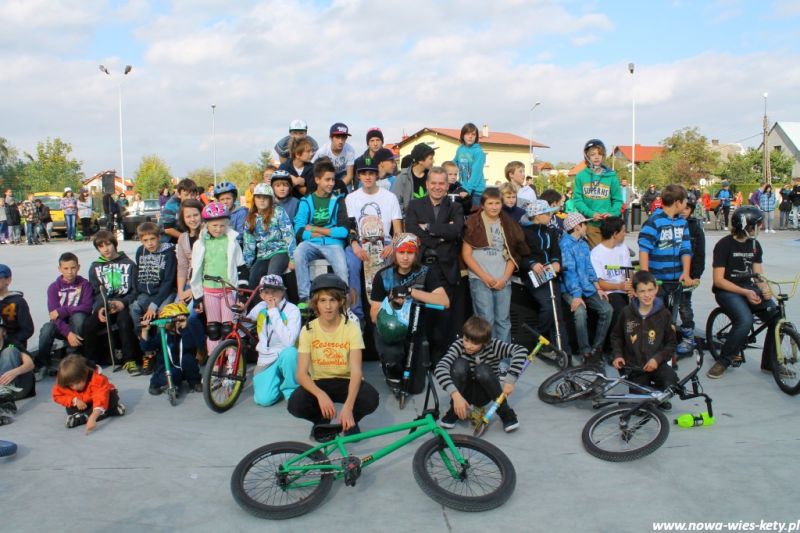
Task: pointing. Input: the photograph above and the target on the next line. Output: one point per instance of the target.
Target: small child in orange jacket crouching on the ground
(86, 393)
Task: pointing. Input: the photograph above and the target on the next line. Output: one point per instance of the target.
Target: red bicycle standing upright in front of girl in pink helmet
(226, 369)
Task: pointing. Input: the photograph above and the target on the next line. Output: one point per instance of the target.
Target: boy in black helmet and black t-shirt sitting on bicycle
(737, 258)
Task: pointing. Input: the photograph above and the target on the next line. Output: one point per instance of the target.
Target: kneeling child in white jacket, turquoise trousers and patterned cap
(278, 325)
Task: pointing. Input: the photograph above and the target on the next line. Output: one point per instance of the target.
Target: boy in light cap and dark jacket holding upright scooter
(544, 265)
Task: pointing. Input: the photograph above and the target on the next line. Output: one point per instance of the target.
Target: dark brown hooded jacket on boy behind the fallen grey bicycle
(637, 338)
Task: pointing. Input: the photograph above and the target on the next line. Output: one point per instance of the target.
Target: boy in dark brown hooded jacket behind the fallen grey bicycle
(644, 337)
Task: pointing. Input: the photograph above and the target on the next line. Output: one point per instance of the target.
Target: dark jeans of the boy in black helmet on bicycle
(741, 312)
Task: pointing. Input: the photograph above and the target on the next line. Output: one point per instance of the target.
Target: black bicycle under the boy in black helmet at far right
(786, 358)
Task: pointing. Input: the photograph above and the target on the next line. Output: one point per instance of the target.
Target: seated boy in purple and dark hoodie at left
(69, 301)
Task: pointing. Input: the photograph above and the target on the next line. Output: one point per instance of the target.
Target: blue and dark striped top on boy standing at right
(667, 240)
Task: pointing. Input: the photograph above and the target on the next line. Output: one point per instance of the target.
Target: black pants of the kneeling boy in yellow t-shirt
(303, 404)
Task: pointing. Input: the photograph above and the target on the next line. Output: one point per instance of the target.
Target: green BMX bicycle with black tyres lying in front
(288, 479)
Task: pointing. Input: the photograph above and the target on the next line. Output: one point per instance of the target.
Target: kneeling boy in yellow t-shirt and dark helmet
(329, 362)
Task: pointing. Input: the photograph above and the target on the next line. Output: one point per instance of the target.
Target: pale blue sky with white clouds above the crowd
(401, 66)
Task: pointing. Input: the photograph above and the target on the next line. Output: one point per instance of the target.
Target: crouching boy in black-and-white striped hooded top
(469, 373)
